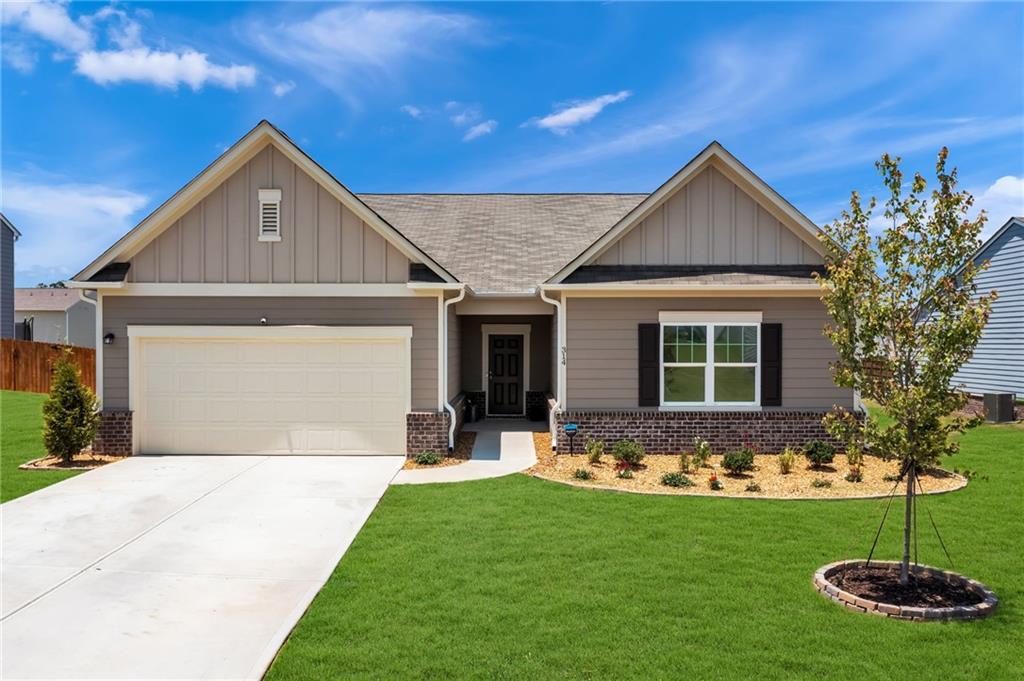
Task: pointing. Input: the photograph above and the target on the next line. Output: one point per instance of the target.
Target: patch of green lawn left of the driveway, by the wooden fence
(21, 441)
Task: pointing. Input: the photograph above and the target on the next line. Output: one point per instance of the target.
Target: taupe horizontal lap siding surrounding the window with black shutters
(602, 343)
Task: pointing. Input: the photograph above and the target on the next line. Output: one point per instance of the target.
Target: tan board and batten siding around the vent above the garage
(322, 241)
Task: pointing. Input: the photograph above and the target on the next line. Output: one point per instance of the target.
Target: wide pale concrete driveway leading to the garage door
(176, 568)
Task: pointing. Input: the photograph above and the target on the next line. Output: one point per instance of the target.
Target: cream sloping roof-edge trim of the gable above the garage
(244, 150)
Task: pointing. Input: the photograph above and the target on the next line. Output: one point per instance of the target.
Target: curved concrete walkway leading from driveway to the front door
(502, 448)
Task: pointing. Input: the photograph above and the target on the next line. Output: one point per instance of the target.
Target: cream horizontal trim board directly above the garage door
(262, 333)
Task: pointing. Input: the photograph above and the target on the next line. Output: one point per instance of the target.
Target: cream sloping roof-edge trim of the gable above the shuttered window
(715, 155)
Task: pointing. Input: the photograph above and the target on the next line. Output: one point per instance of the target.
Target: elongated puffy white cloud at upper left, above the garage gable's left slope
(162, 69)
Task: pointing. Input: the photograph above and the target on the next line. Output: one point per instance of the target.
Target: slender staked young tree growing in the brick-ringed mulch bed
(906, 318)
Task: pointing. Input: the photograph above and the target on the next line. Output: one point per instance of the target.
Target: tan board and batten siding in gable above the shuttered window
(710, 221)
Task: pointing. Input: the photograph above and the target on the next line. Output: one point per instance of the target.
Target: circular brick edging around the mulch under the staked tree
(825, 582)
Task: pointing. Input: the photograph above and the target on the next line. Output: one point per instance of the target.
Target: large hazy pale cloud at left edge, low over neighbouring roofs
(64, 225)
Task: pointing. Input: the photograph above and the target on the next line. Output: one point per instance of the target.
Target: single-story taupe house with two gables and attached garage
(267, 309)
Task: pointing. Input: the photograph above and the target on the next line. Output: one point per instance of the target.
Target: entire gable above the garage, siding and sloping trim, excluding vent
(209, 231)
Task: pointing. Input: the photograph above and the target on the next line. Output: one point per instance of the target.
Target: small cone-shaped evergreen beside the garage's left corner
(71, 414)
